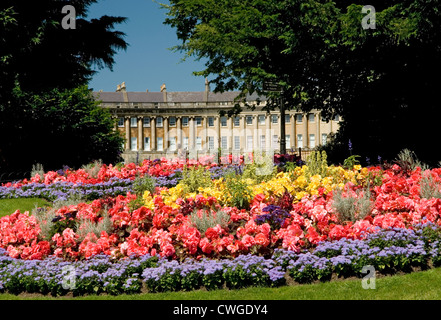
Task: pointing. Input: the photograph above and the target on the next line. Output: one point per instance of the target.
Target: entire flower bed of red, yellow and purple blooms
(235, 225)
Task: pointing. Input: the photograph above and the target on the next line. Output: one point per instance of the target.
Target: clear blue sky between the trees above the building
(147, 63)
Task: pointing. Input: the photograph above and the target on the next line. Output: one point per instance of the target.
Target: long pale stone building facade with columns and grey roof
(171, 124)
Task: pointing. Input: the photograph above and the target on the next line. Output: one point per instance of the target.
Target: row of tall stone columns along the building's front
(217, 127)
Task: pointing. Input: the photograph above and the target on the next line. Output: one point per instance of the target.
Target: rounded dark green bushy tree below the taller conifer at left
(62, 127)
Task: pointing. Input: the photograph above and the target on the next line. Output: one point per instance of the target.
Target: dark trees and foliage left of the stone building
(46, 114)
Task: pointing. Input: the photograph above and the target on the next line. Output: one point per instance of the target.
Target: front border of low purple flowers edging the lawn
(388, 251)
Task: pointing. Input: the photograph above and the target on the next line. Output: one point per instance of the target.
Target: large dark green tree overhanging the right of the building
(318, 50)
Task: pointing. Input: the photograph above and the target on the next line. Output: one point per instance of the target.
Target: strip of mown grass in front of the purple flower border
(424, 285)
